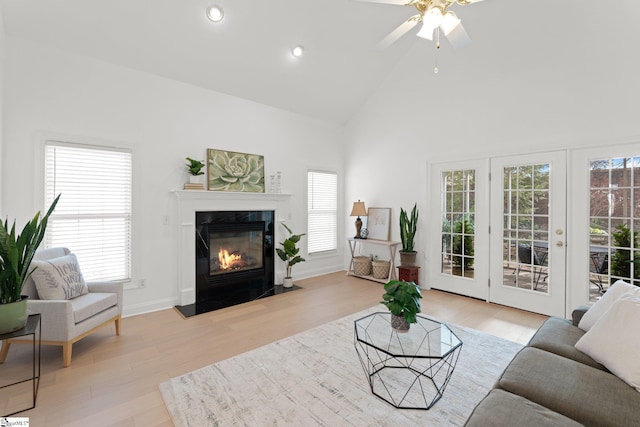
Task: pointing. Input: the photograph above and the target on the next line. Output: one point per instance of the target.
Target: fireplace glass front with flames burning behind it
(233, 251)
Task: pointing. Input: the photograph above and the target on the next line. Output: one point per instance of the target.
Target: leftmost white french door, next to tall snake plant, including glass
(460, 198)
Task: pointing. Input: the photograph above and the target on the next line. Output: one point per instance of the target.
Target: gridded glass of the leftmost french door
(458, 223)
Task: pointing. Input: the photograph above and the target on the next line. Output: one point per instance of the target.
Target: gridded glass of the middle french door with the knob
(526, 222)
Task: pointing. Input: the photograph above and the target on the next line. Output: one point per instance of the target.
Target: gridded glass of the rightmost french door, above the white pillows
(614, 222)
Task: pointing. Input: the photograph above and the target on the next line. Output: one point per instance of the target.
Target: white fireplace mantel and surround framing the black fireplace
(192, 201)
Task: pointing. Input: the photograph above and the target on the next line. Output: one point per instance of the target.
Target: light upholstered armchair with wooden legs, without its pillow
(65, 322)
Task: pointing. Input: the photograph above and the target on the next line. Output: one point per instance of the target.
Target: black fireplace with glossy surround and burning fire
(234, 258)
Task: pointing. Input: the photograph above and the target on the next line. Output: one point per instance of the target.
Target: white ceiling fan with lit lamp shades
(435, 16)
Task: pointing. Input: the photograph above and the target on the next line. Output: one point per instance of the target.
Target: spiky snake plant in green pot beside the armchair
(16, 254)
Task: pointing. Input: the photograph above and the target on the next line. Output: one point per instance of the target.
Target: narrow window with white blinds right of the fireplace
(322, 233)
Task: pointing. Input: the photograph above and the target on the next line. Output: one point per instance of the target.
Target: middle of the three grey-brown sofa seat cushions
(575, 390)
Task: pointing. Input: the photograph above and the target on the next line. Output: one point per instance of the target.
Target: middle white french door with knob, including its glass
(528, 232)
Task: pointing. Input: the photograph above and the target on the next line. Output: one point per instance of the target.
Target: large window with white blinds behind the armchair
(93, 216)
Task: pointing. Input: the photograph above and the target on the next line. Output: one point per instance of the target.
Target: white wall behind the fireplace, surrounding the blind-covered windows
(50, 92)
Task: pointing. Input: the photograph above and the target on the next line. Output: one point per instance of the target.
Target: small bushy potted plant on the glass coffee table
(403, 301)
